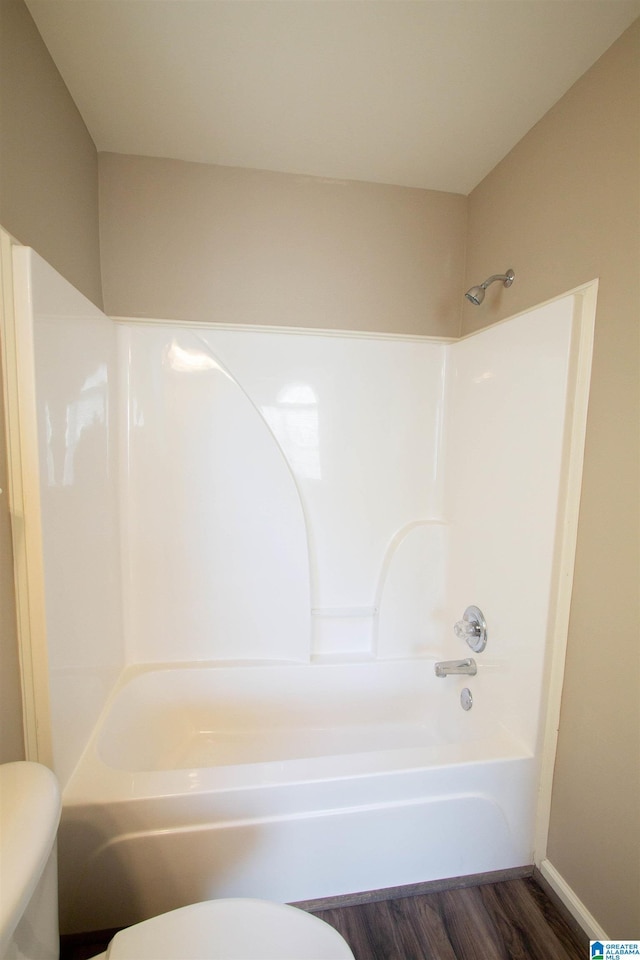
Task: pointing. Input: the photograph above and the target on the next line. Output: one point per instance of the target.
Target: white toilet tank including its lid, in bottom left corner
(29, 817)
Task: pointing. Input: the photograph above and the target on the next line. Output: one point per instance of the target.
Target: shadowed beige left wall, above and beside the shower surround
(48, 200)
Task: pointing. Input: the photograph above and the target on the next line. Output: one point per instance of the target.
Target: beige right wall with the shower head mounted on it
(562, 208)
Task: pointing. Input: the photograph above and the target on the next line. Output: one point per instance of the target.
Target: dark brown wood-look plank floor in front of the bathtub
(510, 920)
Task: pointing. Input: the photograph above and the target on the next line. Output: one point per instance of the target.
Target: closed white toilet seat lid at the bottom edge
(236, 929)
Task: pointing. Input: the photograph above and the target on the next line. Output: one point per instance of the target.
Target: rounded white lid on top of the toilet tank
(29, 815)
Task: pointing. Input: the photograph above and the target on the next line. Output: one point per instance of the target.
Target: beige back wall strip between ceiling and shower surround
(198, 242)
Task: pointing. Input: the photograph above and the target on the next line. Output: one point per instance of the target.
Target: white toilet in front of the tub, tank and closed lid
(234, 929)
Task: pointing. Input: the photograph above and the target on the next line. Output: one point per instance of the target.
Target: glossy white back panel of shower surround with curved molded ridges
(272, 479)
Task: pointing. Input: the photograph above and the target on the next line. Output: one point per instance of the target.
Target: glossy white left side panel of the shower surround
(76, 378)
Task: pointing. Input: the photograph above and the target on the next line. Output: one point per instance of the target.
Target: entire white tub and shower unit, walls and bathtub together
(254, 545)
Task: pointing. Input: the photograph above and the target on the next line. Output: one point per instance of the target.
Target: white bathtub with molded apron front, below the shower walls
(290, 782)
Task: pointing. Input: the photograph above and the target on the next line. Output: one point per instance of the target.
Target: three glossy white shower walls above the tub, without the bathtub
(208, 494)
